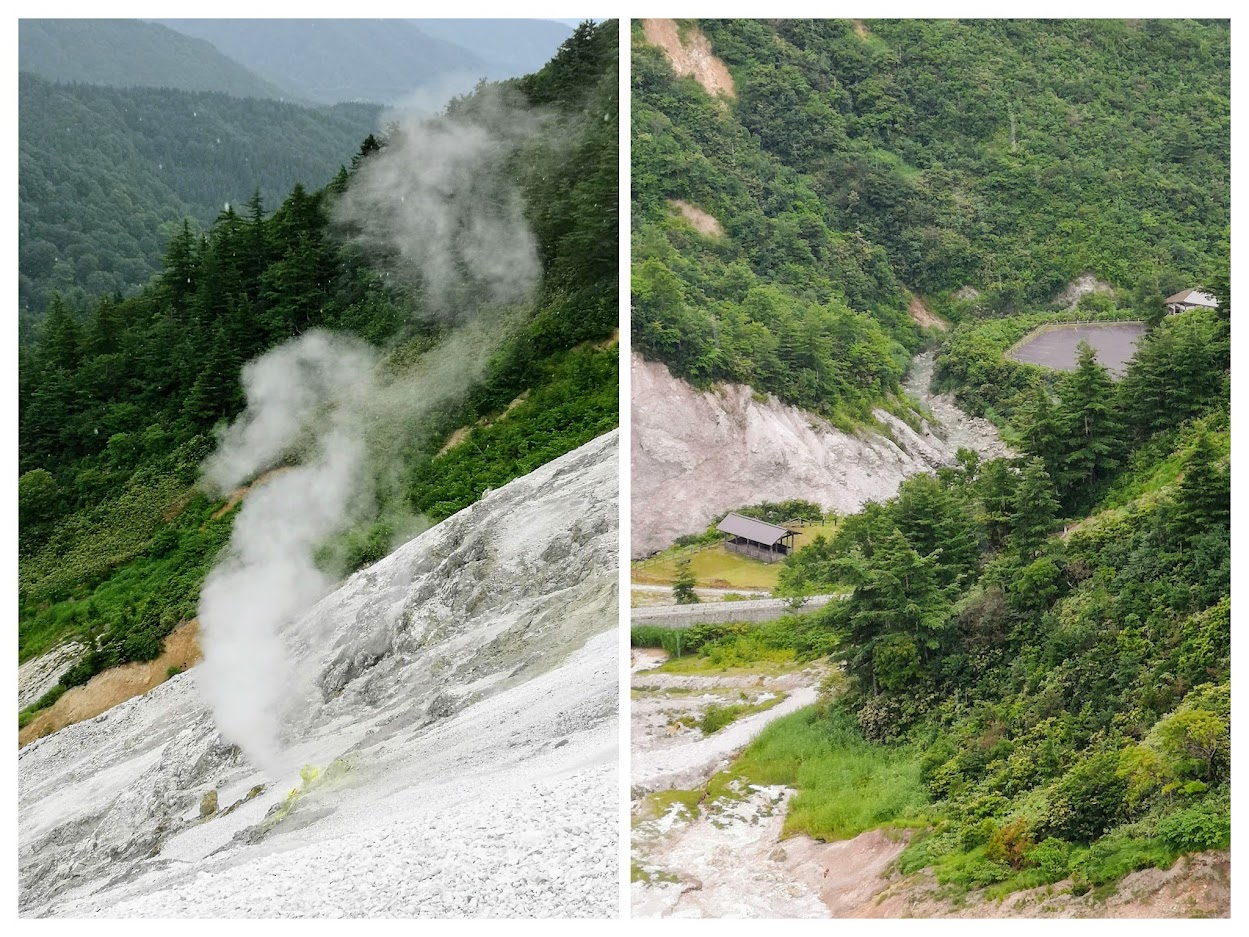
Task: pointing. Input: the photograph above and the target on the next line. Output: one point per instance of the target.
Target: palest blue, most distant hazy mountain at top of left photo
(348, 61)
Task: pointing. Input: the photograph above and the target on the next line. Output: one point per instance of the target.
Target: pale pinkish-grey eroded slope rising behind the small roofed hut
(696, 454)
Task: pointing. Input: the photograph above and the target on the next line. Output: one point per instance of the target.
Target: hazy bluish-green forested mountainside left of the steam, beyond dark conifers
(107, 176)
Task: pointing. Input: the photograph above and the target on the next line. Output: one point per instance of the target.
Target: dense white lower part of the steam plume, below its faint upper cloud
(268, 575)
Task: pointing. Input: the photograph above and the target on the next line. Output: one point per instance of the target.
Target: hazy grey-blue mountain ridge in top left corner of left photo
(133, 54)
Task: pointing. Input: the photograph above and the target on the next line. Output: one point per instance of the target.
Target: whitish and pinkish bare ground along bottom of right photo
(716, 850)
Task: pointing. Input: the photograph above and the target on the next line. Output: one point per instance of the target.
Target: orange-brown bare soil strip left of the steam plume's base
(114, 687)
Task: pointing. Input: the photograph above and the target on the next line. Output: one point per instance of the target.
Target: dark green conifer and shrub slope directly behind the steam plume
(119, 403)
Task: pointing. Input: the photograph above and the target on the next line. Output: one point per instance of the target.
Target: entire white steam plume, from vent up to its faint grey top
(435, 209)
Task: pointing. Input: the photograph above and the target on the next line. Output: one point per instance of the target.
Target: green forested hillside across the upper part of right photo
(982, 166)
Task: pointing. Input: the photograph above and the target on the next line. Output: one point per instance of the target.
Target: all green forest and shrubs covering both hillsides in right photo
(1037, 649)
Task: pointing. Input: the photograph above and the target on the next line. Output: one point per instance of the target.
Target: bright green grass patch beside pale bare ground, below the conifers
(846, 785)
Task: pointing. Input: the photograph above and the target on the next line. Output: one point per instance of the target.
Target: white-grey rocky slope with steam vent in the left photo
(464, 692)
